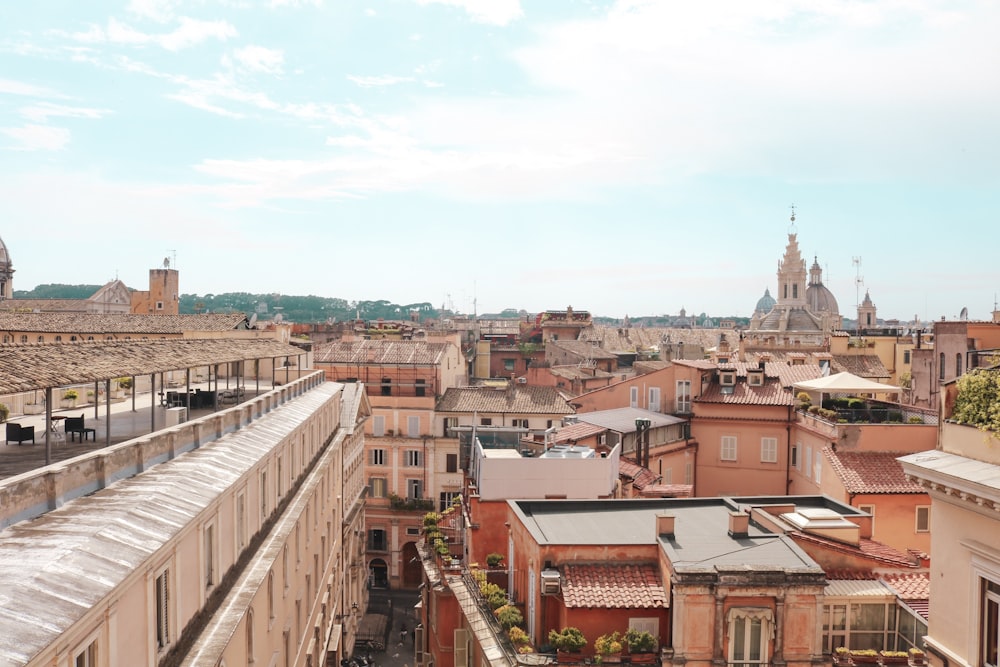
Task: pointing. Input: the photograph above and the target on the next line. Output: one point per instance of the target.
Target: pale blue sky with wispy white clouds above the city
(626, 158)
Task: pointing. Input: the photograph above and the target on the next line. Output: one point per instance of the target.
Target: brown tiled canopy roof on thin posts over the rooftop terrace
(40, 365)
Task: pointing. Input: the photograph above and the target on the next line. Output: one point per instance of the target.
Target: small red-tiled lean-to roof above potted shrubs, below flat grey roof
(613, 587)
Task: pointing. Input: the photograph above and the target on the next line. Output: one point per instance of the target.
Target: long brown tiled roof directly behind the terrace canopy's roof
(83, 324)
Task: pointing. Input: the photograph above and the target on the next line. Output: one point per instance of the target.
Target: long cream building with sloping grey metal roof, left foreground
(238, 542)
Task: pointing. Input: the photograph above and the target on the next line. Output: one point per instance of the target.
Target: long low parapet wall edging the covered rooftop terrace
(43, 489)
